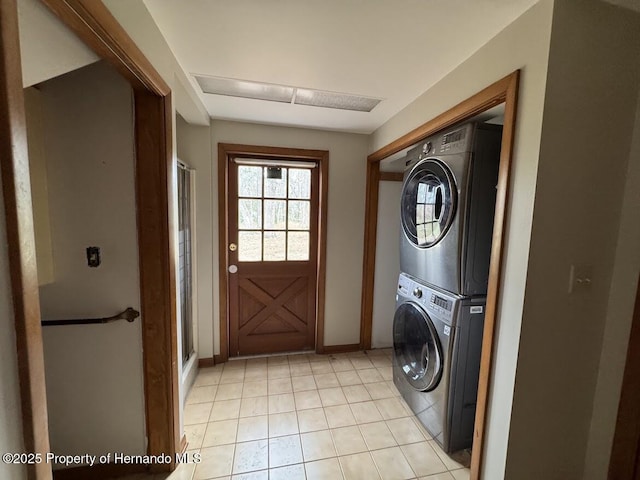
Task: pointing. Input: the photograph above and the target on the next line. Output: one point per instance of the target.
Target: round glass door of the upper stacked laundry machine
(428, 203)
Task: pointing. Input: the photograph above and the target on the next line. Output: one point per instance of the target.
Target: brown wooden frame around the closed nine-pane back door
(226, 151)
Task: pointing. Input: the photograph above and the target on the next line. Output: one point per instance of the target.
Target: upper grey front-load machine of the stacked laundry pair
(447, 208)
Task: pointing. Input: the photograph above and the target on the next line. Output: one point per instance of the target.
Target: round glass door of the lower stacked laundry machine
(417, 347)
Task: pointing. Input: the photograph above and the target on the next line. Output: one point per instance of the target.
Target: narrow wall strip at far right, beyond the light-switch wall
(624, 280)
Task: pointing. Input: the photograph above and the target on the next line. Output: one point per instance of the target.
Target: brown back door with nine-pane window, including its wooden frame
(272, 249)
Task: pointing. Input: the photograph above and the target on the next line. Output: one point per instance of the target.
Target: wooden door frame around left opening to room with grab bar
(92, 22)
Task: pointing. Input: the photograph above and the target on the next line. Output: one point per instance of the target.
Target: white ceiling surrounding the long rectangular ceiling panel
(389, 49)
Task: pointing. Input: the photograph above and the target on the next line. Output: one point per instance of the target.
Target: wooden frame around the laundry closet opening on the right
(503, 91)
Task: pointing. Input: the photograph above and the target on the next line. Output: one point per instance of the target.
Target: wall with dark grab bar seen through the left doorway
(94, 373)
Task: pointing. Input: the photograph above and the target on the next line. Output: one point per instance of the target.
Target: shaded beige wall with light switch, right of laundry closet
(590, 107)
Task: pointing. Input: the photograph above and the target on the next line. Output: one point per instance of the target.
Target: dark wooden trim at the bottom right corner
(625, 451)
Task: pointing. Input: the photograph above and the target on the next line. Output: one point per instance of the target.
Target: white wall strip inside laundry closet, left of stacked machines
(387, 264)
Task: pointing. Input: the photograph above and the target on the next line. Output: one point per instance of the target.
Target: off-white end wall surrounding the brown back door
(345, 230)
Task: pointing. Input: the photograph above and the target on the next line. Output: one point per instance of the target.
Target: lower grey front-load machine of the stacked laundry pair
(437, 341)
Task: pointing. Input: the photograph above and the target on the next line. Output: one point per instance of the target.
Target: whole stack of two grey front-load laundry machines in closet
(447, 210)
